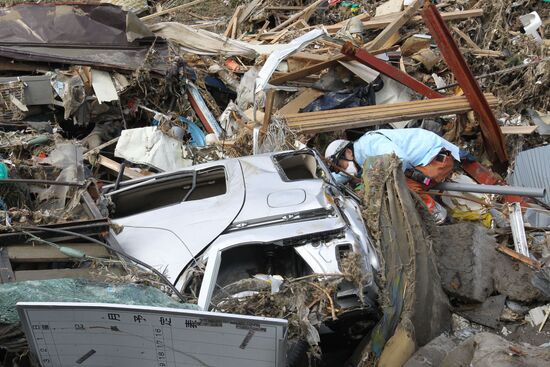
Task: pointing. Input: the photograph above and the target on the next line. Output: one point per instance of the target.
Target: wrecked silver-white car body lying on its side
(219, 223)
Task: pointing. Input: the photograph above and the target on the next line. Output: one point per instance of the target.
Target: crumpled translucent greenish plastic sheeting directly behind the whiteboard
(80, 290)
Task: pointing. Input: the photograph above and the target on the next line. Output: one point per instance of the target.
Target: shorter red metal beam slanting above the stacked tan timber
(383, 67)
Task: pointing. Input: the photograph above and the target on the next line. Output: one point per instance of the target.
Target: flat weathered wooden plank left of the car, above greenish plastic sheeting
(45, 253)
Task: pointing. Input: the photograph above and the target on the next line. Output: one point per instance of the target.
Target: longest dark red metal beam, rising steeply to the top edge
(492, 136)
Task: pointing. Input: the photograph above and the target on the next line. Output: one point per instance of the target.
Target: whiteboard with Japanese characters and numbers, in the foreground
(94, 334)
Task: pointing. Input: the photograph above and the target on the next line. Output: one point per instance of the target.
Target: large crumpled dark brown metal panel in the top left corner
(100, 35)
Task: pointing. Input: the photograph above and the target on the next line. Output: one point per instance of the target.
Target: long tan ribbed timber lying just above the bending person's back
(348, 118)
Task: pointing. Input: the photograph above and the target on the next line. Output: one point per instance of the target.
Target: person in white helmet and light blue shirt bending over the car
(427, 158)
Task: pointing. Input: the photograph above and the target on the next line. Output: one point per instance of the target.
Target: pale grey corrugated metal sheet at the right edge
(532, 169)
